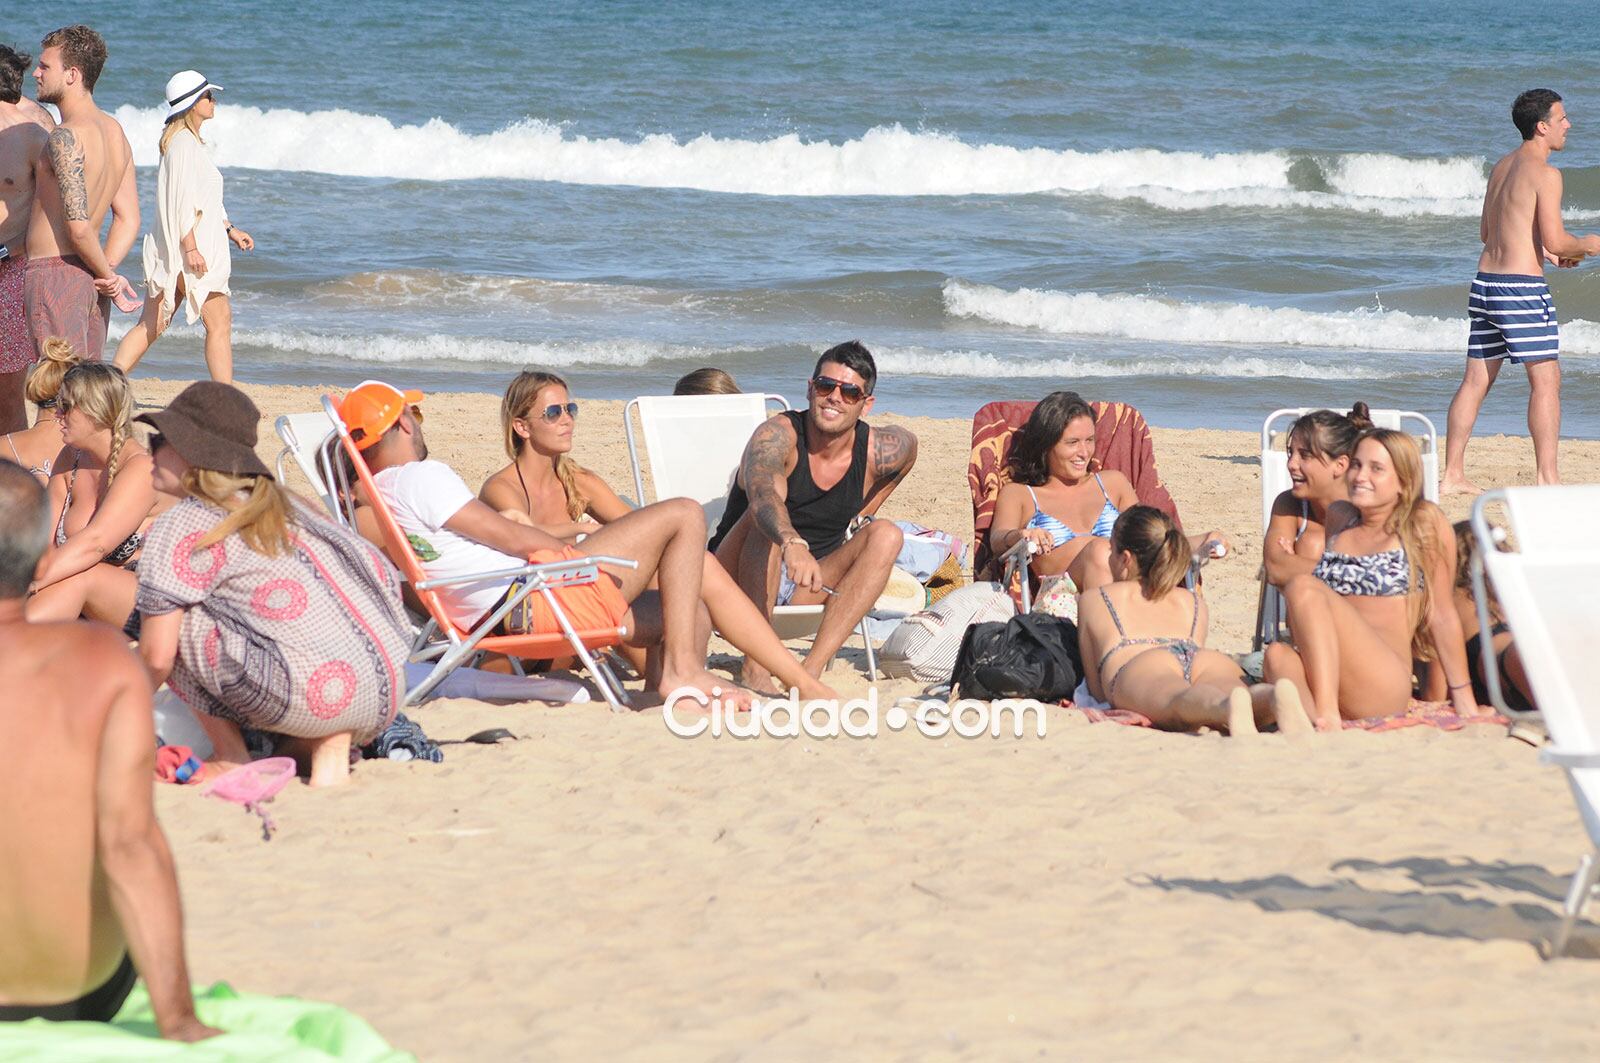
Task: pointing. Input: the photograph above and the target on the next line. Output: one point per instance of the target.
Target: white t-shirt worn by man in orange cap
(423, 495)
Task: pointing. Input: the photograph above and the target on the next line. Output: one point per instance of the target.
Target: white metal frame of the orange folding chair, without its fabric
(452, 648)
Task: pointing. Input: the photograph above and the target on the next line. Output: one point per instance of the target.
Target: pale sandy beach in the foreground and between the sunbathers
(606, 889)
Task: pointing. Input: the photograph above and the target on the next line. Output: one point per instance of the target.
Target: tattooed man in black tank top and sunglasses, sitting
(804, 478)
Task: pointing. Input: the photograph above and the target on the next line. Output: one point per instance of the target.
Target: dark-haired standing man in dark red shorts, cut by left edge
(22, 146)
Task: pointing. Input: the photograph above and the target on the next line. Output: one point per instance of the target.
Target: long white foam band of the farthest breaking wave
(886, 161)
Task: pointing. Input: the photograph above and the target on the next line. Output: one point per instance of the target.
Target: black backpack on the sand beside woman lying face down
(1033, 656)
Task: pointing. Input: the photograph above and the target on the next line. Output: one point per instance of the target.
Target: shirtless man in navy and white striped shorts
(1510, 307)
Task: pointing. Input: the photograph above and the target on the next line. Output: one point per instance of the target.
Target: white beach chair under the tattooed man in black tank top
(694, 446)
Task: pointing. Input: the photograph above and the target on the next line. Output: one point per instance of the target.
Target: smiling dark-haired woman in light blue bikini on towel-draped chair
(1057, 489)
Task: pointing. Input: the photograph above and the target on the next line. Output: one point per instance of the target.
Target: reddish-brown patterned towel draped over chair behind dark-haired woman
(1122, 443)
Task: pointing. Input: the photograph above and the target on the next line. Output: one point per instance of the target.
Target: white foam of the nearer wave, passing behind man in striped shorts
(1167, 321)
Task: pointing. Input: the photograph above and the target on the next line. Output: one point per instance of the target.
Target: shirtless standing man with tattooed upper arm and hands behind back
(87, 172)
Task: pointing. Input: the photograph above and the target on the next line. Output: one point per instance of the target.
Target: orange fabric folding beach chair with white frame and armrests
(452, 646)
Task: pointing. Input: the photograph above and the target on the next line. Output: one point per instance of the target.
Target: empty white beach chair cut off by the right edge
(1550, 593)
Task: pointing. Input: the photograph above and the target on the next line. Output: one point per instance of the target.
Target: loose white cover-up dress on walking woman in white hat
(188, 196)
